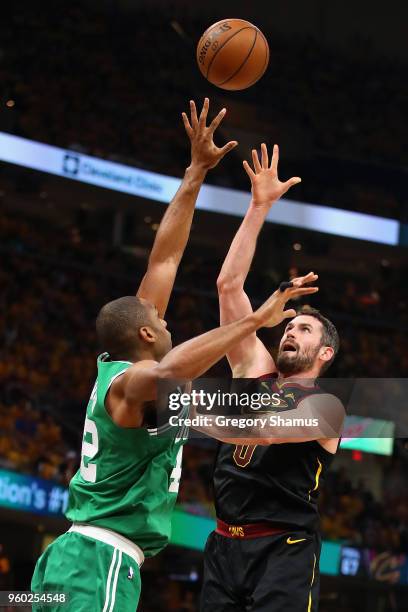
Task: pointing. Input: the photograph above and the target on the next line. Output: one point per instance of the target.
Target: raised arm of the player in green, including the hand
(174, 230)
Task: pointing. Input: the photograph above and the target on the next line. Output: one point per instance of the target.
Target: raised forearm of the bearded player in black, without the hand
(241, 253)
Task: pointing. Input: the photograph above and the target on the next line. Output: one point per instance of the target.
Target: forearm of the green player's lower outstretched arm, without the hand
(194, 357)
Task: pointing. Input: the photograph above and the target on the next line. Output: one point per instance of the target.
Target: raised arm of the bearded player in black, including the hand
(249, 358)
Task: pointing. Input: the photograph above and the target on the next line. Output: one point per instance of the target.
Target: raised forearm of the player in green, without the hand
(174, 230)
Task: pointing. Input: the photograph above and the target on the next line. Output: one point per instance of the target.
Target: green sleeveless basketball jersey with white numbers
(129, 477)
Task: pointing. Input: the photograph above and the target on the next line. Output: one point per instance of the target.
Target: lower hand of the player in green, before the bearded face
(273, 312)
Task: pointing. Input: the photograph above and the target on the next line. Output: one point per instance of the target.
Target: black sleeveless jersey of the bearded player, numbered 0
(278, 483)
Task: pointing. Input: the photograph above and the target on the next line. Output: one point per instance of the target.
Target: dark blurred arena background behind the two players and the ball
(92, 147)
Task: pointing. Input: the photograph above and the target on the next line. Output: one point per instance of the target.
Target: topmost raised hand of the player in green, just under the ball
(204, 153)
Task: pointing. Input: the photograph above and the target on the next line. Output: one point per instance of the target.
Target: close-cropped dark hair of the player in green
(117, 326)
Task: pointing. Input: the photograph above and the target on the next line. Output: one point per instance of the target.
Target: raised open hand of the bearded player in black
(266, 186)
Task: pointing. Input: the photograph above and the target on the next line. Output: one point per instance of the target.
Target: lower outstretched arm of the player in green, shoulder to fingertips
(139, 384)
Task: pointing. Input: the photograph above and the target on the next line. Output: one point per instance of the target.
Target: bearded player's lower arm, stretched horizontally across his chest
(318, 417)
